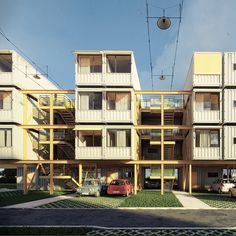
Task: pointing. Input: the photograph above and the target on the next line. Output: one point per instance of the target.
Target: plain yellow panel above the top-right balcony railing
(207, 63)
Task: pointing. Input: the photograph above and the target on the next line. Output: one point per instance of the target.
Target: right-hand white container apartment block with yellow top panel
(210, 111)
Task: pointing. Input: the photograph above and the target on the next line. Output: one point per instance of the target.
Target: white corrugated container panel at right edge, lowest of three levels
(229, 146)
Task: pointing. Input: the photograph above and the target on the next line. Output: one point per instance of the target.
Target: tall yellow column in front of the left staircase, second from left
(51, 148)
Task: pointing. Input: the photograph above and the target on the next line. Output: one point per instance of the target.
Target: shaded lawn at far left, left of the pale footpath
(15, 197)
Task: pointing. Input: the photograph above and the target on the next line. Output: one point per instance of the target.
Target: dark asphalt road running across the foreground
(118, 217)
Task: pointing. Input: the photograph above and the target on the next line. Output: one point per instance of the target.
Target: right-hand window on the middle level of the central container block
(118, 101)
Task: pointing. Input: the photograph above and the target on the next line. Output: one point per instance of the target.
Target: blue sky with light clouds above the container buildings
(49, 31)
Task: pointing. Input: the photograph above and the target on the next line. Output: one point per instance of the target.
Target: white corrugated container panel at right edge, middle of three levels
(229, 108)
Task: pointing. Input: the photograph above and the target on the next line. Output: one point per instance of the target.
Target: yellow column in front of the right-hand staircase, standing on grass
(162, 144)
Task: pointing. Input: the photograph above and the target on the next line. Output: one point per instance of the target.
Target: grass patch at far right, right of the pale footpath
(216, 200)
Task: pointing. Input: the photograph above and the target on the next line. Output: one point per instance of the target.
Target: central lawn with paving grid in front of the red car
(145, 198)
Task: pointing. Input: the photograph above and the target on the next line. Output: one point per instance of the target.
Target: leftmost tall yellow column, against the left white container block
(25, 108)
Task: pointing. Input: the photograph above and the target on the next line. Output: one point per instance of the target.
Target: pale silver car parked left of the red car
(90, 187)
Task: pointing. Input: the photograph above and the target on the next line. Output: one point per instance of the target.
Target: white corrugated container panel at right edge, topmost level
(229, 72)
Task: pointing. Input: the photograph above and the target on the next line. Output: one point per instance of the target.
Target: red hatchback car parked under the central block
(120, 187)
